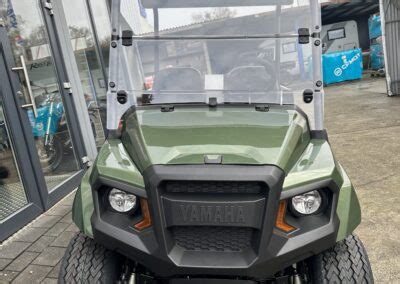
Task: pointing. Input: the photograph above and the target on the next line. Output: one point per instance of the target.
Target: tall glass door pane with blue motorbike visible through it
(28, 37)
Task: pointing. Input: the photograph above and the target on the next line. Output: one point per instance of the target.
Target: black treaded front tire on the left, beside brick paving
(88, 262)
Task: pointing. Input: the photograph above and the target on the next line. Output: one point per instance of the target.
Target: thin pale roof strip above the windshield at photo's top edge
(210, 3)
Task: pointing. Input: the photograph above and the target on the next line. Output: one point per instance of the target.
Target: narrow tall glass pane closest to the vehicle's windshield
(89, 66)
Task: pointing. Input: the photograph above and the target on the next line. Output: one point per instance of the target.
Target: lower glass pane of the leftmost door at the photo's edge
(12, 193)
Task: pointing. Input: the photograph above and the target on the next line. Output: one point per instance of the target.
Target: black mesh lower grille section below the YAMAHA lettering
(213, 238)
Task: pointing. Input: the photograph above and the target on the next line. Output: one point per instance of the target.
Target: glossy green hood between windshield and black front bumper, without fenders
(240, 134)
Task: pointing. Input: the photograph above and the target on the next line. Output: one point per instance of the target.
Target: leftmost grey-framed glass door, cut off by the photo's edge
(20, 201)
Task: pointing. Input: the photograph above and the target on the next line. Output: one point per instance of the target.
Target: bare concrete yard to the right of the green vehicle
(364, 130)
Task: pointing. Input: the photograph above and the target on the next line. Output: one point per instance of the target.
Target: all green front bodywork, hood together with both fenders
(242, 135)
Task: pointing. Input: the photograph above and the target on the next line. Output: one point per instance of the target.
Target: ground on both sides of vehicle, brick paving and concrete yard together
(364, 130)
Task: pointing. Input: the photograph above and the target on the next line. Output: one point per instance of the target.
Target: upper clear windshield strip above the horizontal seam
(219, 19)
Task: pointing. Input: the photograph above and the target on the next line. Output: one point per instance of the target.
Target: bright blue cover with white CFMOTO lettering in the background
(342, 66)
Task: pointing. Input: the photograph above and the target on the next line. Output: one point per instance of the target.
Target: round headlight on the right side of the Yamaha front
(307, 203)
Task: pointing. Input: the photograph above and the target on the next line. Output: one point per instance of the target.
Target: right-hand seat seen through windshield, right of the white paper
(252, 74)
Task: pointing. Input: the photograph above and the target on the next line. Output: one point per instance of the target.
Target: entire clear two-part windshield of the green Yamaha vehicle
(228, 53)
